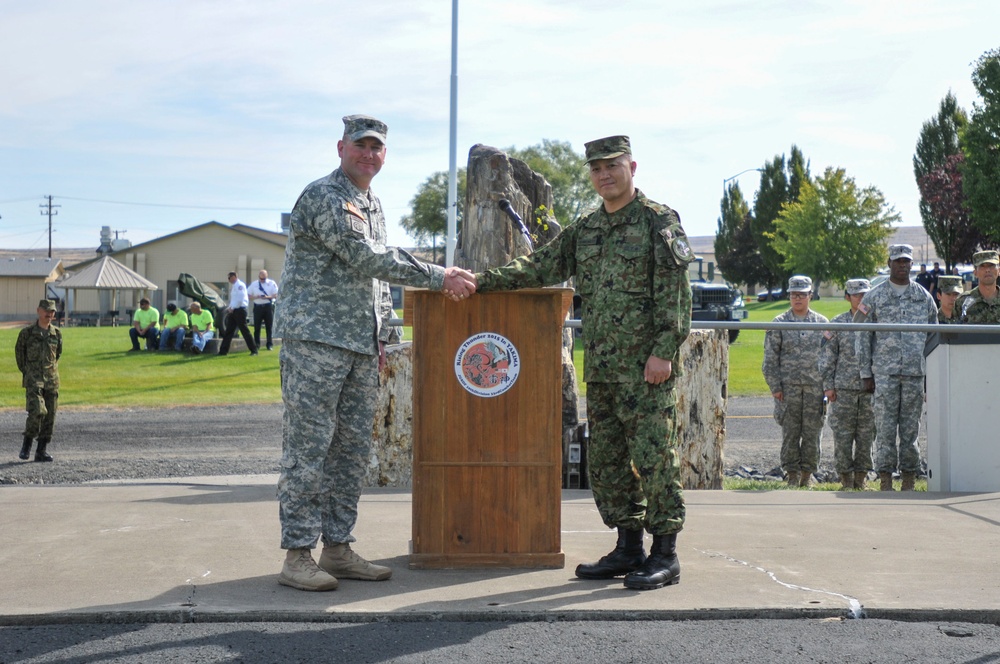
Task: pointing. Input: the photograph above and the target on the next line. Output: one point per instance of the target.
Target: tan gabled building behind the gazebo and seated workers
(208, 252)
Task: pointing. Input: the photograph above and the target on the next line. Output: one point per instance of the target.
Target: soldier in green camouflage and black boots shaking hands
(629, 257)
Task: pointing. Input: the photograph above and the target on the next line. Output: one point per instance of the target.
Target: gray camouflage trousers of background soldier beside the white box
(897, 402)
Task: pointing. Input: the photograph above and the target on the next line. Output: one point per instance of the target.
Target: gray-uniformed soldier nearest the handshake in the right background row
(791, 370)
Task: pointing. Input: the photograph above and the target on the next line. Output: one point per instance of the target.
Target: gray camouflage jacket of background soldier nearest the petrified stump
(791, 357)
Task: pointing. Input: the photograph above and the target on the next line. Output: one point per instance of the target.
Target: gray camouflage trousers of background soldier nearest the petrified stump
(801, 414)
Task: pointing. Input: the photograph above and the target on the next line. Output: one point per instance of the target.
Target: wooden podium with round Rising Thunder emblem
(487, 428)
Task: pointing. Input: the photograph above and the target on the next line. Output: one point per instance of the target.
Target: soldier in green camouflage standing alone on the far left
(37, 351)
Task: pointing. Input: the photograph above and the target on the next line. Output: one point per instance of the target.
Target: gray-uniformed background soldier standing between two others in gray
(851, 417)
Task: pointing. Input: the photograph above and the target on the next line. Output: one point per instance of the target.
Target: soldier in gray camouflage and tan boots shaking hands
(335, 308)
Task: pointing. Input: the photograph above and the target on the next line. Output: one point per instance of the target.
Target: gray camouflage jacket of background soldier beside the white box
(894, 353)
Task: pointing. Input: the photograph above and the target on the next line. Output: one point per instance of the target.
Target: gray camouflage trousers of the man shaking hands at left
(329, 398)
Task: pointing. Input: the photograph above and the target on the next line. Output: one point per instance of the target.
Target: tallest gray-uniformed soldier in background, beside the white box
(892, 365)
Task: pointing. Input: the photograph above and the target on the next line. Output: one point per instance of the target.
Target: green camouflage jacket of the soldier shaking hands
(631, 274)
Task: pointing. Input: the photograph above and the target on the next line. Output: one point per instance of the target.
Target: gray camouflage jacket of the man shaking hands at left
(334, 288)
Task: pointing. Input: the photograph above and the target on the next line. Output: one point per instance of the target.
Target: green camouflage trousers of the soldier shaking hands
(632, 455)
